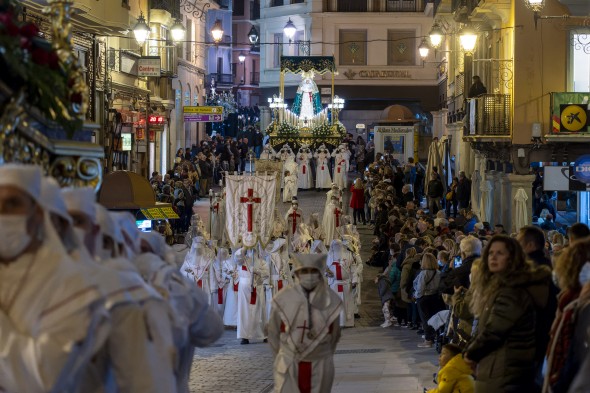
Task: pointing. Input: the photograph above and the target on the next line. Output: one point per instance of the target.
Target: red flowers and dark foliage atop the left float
(50, 80)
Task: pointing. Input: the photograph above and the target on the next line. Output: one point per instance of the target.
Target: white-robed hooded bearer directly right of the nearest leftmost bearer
(136, 310)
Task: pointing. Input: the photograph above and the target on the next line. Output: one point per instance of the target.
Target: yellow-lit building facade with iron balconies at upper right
(532, 63)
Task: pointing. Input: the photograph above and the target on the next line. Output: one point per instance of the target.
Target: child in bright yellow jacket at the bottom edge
(454, 375)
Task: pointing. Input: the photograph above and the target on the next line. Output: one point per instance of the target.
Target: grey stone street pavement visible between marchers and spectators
(368, 359)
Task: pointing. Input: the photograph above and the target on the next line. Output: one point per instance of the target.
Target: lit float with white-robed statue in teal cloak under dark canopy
(307, 122)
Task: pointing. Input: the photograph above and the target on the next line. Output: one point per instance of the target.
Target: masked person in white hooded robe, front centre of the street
(303, 329)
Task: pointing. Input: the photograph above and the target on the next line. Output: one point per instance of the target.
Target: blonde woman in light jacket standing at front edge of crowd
(427, 297)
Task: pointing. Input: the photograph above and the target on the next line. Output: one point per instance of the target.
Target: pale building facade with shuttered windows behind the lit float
(375, 45)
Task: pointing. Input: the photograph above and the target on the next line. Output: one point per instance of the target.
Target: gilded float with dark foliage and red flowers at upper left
(44, 99)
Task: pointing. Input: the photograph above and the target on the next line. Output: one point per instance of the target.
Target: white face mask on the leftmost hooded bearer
(14, 235)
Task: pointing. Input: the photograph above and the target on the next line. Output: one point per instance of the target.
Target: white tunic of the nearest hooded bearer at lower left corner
(48, 306)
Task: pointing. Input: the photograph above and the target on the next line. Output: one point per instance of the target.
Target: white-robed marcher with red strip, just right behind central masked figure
(342, 278)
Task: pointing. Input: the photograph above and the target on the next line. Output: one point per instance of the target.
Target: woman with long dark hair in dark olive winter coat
(506, 292)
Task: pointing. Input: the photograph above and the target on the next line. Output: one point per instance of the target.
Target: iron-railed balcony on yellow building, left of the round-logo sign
(491, 117)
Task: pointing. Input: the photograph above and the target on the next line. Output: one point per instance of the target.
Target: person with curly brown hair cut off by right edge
(568, 347)
